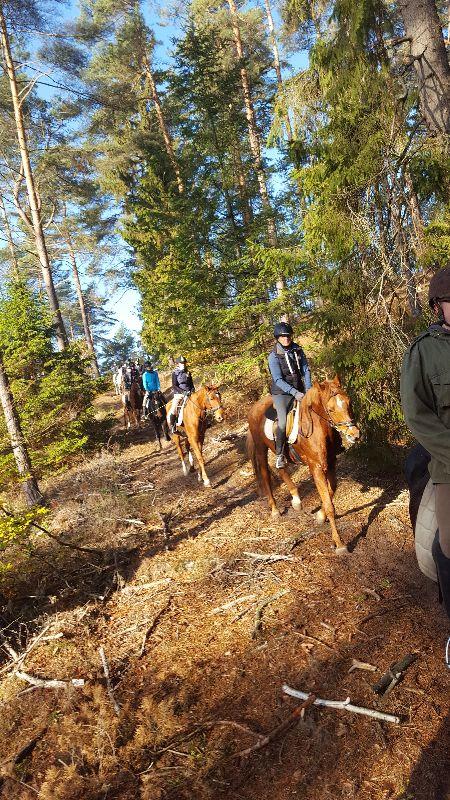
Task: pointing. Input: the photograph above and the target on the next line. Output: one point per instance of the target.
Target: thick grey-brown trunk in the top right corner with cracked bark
(427, 47)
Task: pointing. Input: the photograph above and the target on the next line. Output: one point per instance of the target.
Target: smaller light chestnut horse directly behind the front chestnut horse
(192, 432)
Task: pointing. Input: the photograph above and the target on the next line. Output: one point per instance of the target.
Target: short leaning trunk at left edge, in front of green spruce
(28, 481)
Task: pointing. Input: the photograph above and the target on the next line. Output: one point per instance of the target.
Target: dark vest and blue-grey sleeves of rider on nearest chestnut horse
(289, 370)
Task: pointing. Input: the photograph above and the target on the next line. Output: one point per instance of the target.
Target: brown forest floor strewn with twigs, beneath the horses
(173, 596)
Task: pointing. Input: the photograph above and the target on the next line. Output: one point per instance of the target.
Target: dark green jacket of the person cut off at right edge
(425, 393)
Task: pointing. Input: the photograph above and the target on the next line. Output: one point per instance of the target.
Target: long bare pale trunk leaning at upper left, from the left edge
(31, 189)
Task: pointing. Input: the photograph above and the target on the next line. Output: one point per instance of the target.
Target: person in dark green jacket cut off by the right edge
(425, 393)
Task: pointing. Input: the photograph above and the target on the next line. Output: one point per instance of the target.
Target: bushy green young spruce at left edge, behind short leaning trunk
(52, 391)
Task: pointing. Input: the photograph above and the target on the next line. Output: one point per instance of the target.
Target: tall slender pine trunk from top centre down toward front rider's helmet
(253, 131)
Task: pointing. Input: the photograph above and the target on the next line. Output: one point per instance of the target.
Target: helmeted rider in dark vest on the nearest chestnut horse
(291, 378)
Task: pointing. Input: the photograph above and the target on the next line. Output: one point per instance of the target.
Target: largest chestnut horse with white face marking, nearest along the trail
(325, 411)
